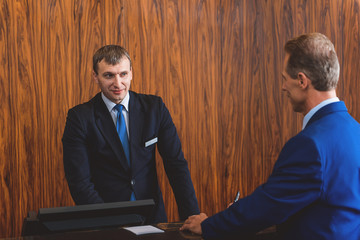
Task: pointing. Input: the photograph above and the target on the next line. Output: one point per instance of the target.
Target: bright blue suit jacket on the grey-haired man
(314, 189)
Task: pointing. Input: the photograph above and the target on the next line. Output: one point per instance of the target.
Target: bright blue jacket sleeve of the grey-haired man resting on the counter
(295, 183)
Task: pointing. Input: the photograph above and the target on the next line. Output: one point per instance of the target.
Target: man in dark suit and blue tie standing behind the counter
(99, 166)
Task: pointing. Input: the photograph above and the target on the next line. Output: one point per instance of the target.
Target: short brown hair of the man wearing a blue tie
(112, 55)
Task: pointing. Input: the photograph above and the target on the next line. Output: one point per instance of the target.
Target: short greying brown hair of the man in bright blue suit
(315, 56)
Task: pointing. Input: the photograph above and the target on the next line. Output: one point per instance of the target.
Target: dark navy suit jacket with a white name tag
(95, 165)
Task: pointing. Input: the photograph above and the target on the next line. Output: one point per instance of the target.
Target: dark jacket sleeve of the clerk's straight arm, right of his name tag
(176, 166)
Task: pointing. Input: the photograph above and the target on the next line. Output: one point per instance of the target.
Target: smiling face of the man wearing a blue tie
(114, 80)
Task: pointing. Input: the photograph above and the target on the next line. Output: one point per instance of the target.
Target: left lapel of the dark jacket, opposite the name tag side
(107, 128)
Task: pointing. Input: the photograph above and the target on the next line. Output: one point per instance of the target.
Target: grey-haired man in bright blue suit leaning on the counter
(314, 189)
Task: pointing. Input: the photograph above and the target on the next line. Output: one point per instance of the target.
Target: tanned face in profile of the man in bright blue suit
(294, 89)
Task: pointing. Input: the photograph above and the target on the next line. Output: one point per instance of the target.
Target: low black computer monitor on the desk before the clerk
(85, 217)
